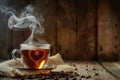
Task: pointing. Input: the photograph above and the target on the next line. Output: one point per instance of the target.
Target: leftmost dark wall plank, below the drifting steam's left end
(5, 37)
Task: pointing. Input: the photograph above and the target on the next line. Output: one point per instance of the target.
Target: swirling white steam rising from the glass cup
(26, 20)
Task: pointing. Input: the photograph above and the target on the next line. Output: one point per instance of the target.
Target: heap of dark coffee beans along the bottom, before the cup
(54, 76)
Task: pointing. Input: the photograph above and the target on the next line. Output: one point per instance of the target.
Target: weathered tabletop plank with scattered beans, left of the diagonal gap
(92, 71)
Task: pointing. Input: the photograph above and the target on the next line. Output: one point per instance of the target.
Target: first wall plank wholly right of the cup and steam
(66, 29)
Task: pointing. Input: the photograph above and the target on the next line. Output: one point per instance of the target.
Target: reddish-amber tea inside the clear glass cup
(35, 59)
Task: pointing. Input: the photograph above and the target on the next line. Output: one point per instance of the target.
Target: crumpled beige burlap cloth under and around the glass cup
(9, 67)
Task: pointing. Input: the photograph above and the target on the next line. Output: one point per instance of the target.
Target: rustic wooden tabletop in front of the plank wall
(89, 71)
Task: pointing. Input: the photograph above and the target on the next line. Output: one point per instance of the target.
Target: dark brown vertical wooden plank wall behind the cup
(74, 28)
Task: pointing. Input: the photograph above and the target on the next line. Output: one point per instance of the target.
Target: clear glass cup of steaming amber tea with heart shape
(33, 56)
